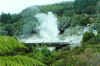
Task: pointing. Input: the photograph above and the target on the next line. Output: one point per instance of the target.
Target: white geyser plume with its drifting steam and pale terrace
(47, 31)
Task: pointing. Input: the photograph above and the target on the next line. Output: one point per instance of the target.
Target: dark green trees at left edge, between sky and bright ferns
(10, 24)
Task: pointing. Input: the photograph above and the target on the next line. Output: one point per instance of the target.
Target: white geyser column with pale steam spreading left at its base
(48, 29)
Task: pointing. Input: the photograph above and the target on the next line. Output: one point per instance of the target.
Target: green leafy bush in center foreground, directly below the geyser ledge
(44, 55)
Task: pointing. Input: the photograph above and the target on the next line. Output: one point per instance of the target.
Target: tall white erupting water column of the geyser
(48, 27)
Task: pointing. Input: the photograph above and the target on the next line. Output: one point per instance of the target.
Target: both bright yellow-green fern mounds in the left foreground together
(11, 53)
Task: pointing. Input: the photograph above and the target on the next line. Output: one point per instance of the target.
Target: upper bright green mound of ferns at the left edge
(9, 45)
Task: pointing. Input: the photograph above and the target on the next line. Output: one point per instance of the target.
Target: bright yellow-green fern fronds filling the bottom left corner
(19, 61)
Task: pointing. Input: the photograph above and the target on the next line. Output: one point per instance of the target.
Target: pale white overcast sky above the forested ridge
(16, 6)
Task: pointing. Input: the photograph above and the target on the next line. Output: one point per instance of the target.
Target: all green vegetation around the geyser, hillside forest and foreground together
(70, 14)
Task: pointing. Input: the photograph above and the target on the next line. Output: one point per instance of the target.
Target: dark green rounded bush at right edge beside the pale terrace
(90, 39)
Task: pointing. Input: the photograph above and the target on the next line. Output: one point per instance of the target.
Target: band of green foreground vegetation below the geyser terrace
(16, 53)
